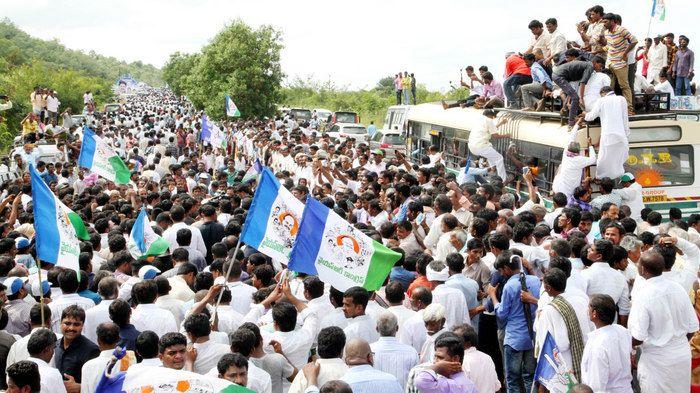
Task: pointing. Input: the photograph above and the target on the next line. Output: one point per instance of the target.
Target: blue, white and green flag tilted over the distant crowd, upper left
(97, 156)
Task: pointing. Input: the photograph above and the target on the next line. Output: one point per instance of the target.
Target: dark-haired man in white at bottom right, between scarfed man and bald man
(606, 364)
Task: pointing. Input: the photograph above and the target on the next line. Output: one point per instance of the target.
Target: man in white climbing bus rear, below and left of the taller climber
(573, 163)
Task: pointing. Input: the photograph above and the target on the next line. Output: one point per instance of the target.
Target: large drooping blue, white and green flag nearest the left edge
(57, 227)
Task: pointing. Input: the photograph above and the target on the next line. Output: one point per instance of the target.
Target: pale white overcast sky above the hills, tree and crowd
(352, 43)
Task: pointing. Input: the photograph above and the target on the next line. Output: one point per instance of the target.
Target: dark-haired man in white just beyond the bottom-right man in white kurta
(602, 278)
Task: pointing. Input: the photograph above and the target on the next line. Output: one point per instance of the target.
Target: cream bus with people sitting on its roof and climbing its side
(662, 149)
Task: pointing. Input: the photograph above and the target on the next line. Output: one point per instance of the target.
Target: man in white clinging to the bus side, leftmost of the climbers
(480, 143)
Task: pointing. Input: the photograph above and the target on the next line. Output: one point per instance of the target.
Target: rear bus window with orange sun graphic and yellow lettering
(662, 165)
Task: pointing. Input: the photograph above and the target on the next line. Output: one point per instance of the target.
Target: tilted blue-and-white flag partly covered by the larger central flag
(272, 222)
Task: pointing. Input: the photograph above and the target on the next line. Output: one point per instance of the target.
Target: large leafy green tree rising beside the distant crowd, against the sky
(241, 62)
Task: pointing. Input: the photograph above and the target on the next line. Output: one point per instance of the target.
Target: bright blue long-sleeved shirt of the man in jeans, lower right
(511, 314)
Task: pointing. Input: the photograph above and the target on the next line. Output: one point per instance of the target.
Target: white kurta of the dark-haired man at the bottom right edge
(606, 365)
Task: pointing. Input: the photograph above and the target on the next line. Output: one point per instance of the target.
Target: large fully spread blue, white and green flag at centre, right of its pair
(340, 254)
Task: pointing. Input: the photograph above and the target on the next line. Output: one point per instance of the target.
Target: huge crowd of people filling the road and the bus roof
(484, 278)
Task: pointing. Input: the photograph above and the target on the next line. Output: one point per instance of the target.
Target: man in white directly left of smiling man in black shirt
(41, 349)
